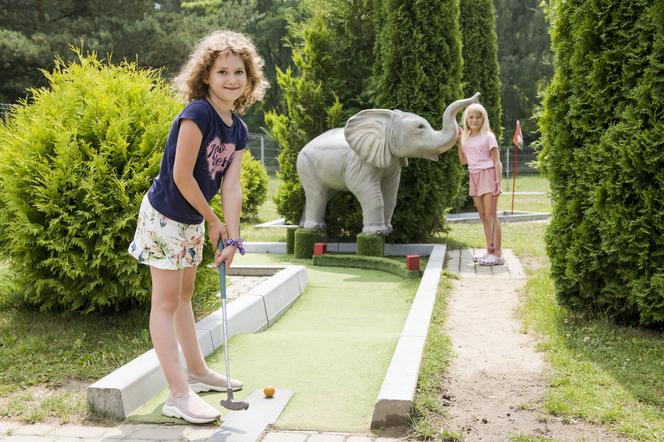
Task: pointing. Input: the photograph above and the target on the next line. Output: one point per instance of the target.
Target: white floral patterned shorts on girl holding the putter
(164, 243)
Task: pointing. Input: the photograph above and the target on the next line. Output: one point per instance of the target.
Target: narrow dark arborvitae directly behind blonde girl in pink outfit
(480, 68)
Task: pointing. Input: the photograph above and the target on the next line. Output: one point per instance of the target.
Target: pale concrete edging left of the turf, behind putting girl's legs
(125, 389)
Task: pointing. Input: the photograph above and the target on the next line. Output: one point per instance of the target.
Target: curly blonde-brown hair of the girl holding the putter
(189, 82)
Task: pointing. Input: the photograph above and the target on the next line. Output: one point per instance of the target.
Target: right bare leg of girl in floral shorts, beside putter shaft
(185, 326)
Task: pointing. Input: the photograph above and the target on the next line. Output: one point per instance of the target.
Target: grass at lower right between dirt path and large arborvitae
(601, 373)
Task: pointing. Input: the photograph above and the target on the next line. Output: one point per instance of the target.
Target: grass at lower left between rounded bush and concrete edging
(47, 360)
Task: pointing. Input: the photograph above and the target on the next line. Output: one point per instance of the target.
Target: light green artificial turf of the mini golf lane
(332, 348)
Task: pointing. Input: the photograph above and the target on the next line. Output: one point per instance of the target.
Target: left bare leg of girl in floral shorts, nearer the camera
(166, 289)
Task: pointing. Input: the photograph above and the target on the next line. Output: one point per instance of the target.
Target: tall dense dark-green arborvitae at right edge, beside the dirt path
(603, 137)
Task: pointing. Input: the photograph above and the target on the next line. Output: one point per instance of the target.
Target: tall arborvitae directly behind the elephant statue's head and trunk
(420, 72)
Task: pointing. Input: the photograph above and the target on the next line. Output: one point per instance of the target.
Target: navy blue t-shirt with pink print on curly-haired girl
(217, 151)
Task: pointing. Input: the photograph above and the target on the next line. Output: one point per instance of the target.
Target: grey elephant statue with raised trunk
(366, 157)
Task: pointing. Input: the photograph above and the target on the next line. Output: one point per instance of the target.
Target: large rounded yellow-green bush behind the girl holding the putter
(75, 162)
